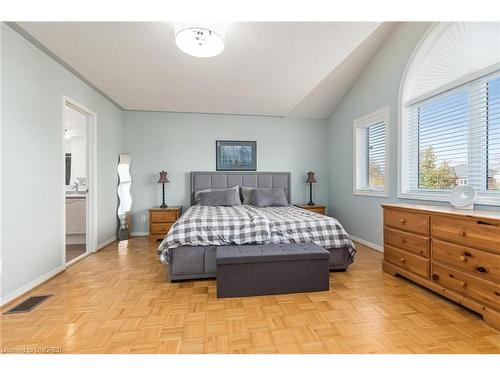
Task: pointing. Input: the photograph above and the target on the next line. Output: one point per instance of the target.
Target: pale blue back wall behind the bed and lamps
(180, 143)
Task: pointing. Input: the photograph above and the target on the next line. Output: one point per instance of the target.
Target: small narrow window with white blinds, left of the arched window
(370, 154)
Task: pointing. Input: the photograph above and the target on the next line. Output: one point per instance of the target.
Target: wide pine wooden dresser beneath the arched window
(455, 253)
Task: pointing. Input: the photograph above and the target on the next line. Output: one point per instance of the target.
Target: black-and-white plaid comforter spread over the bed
(244, 225)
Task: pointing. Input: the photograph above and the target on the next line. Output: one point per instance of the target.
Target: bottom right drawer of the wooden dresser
(468, 285)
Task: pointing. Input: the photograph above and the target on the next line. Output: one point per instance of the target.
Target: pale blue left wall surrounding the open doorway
(32, 166)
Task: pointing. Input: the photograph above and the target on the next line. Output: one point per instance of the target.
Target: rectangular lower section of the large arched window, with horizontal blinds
(453, 138)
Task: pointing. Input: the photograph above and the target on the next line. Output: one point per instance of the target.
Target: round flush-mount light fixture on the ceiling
(199, 40)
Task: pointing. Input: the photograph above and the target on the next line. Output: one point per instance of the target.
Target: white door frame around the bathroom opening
(91, 201)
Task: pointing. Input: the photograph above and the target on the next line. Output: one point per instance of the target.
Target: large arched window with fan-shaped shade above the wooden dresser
(450, 113)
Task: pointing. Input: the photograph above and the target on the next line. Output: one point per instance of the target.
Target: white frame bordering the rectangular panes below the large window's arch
(482, 197)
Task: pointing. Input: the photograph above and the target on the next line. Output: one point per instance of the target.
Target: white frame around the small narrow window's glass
(373, 118)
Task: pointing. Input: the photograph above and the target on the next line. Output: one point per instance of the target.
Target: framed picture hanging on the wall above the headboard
(236, 155)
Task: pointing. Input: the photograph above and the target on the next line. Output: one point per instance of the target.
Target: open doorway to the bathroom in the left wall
(78, 127)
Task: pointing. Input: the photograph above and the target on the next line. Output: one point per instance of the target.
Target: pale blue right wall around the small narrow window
(376, 87)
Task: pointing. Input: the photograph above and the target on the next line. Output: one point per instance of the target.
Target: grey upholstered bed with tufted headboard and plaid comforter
(189, 248)
